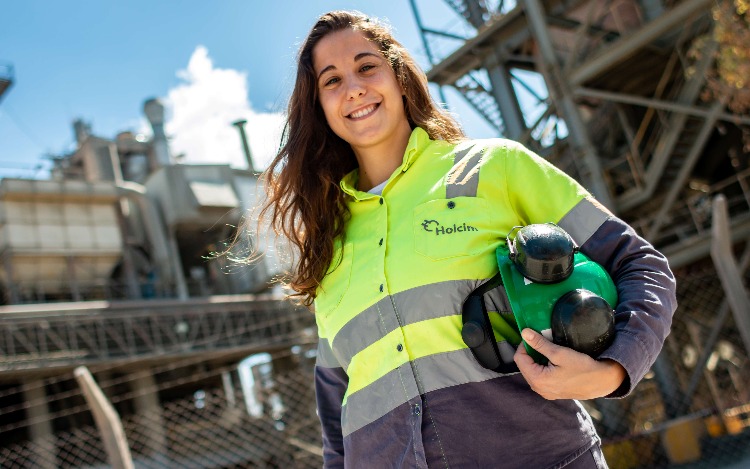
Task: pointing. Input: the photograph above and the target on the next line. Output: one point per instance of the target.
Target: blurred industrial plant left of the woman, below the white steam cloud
(108, 274)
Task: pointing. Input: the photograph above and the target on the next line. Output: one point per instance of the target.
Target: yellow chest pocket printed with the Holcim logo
(449, 228)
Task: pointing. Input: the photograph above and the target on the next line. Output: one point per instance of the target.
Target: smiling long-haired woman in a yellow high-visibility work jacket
(395, 217)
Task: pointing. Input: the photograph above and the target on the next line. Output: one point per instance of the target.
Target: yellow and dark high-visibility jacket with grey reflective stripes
(396, 385)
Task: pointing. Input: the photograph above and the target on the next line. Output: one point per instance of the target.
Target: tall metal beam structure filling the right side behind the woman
(623, 96)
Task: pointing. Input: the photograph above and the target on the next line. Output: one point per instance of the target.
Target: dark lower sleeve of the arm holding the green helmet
(646, 292)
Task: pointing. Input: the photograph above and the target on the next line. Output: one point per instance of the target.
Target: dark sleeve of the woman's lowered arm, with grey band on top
(331, 382)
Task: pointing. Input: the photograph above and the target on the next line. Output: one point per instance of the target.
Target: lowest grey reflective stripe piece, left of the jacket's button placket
(377, 399)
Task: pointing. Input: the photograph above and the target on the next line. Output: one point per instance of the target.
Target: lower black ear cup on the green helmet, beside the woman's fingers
(583, 321)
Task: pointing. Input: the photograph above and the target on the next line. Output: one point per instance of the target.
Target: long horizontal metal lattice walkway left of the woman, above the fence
(94, 332)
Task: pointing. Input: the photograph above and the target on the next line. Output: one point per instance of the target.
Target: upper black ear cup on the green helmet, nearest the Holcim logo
(543, 253)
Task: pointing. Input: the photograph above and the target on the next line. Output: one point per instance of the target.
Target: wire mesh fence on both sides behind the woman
(236, 409)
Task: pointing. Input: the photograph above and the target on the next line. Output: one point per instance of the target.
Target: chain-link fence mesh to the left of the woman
(193, 414)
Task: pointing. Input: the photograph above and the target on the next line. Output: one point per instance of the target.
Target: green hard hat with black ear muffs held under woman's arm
(553, 289)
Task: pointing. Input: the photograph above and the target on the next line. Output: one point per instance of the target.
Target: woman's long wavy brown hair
(305, 202)
